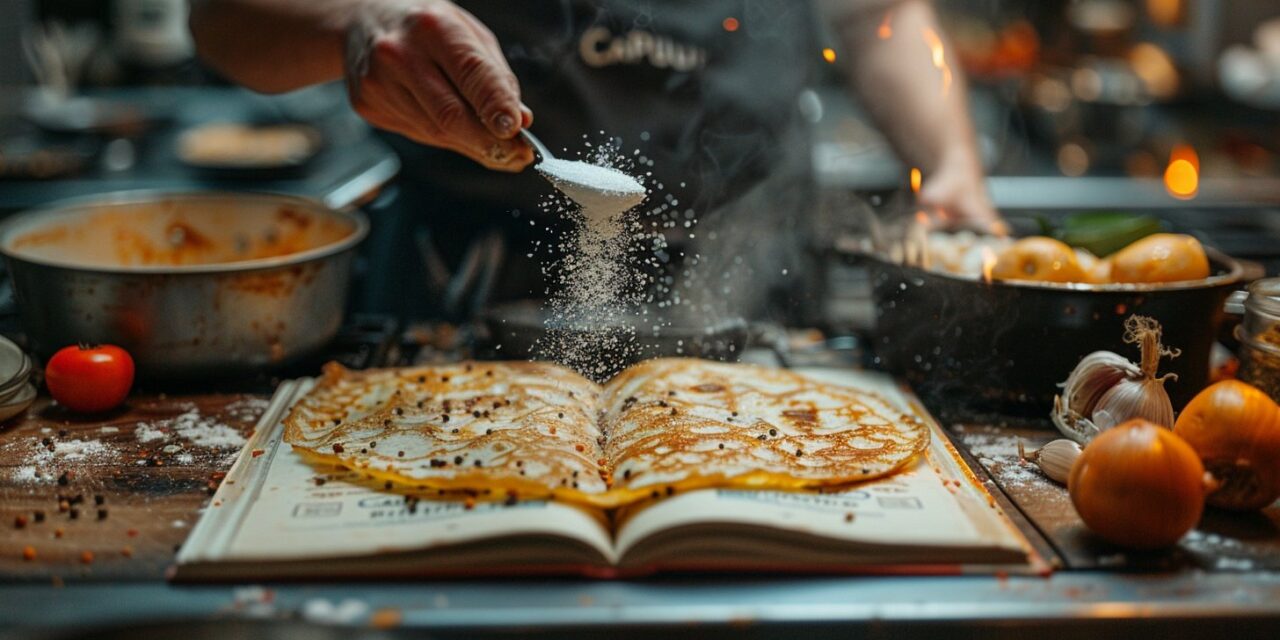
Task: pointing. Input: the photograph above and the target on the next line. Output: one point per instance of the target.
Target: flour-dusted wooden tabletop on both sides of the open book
(113, 497)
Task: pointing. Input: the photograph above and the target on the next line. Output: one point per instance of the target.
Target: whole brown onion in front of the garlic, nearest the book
(1139, 486)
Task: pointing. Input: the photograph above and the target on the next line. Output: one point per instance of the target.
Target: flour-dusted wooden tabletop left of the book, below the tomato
(112, 497)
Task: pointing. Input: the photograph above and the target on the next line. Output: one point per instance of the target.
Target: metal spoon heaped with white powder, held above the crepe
(602, 193)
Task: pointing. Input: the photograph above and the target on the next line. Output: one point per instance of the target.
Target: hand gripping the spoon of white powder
(432, 72)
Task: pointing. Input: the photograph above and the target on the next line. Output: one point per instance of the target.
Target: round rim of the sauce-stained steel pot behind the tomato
(72, 207)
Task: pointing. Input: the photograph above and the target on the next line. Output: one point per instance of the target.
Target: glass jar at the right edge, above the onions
(1260, 337)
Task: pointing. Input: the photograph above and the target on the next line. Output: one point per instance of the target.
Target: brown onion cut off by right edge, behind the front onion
(1236, 431)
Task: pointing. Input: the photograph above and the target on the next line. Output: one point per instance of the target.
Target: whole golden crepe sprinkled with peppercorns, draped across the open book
(536, 429)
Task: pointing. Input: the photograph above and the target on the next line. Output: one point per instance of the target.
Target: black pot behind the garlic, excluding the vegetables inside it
(989, 350)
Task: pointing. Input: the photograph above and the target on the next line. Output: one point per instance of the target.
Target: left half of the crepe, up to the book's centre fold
(525, 427)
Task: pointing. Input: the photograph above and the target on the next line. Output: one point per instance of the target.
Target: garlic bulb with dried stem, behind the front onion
(1105, 390)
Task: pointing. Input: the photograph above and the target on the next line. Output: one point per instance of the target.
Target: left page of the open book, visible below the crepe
(294, 510)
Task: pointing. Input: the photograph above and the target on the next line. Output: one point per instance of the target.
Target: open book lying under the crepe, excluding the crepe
(281, 516)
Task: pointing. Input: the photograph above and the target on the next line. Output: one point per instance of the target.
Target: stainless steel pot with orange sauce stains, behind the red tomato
(191, 284)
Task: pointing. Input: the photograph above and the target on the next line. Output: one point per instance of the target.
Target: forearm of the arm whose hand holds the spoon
(273, 45)
